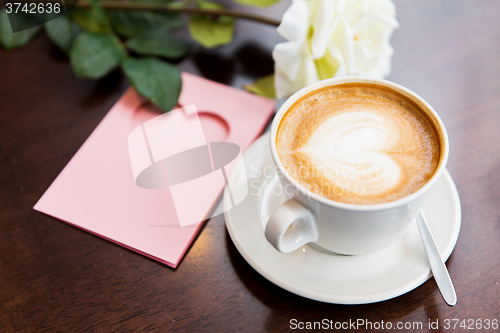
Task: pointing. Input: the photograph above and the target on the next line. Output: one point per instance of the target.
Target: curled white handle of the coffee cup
(291, 226)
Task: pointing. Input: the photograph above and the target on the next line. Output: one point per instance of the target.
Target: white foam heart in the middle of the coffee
(350, 151)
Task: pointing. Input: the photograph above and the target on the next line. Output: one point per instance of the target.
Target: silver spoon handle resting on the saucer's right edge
(438, 267)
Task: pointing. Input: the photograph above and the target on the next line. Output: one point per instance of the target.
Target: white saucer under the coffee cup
(324, 276)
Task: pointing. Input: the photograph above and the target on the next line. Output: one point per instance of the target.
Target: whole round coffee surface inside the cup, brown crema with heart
(358, 143)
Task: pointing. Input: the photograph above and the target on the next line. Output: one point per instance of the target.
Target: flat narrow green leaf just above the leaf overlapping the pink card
(162, 45)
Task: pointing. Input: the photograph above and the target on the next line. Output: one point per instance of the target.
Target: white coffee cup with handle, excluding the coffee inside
(340, 227)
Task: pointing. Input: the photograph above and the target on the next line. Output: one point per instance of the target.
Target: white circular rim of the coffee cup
(357, 207)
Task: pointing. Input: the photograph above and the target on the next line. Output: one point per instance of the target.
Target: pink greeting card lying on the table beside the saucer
(97, 191)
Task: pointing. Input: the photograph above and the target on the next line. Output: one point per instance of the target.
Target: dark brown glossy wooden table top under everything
(54, 277)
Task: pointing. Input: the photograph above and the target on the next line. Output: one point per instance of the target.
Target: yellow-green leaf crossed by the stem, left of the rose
(211, 31)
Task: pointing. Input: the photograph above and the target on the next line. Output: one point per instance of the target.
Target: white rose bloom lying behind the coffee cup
(332, 38)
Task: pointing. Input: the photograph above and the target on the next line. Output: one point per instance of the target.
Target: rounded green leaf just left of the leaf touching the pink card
(95, 55)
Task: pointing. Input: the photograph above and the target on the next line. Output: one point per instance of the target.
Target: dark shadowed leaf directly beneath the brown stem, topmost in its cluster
(129, 23)
